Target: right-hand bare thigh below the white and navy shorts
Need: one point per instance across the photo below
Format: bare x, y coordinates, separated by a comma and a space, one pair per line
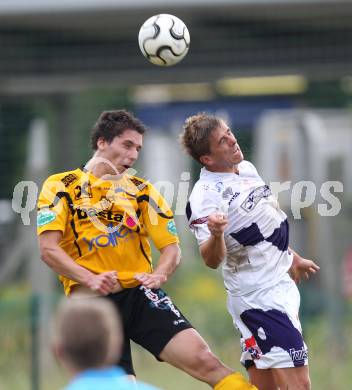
293, 378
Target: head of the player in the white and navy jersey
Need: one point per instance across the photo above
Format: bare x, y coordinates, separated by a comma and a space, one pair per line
210, 141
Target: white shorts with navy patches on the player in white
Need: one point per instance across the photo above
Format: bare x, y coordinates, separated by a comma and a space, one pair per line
269, 325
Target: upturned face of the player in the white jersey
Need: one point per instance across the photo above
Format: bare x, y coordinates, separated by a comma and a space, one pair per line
225, 153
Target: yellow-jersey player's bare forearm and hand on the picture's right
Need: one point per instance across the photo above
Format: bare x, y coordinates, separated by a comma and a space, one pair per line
170, 257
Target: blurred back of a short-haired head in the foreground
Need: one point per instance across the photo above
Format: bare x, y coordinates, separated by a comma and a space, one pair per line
86, 334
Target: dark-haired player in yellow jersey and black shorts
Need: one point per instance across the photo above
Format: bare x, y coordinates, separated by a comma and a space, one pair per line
94, 226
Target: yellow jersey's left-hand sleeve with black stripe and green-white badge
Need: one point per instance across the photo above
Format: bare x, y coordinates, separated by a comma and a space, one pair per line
53, 206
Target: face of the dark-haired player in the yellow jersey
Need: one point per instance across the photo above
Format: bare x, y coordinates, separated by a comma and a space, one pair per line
124, 149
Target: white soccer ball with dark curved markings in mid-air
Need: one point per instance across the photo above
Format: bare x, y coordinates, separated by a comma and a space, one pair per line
164, 39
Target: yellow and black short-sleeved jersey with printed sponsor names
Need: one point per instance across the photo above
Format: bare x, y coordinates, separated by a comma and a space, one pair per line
106, 223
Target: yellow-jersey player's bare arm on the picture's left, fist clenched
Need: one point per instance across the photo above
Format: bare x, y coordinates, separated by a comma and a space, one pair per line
57, 259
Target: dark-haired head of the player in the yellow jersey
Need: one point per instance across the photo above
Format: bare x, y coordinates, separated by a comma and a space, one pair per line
118, 137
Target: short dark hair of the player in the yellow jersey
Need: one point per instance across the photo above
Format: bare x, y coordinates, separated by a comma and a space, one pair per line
111, 124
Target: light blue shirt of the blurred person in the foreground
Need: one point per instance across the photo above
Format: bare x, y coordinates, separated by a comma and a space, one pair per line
105, 379
